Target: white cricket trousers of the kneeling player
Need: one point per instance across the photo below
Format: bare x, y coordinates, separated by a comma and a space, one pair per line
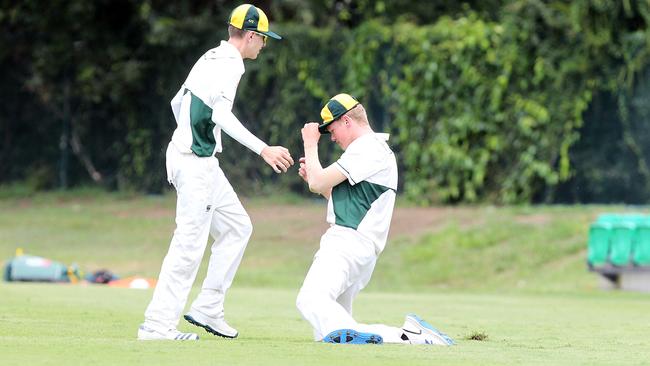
342, 267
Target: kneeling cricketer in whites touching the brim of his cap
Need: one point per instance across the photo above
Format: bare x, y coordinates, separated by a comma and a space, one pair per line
360, 187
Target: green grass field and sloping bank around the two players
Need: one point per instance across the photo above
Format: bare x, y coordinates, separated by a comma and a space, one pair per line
515, 275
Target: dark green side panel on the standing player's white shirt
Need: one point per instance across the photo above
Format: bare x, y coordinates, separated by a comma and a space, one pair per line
203, 142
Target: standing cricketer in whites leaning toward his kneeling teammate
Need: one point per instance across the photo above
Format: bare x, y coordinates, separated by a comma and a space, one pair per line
207, 205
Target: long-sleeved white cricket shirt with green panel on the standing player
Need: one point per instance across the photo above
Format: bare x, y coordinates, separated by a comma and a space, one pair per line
203, 105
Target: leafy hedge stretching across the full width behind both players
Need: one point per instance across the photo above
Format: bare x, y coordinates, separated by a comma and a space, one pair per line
480, 108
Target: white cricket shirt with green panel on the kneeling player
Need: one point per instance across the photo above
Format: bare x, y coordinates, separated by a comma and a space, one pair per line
365, 200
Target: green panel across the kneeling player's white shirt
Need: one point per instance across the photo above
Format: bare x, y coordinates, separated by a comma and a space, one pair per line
352, 202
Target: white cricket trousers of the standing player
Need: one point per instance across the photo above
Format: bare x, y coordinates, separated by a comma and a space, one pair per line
206, 206
